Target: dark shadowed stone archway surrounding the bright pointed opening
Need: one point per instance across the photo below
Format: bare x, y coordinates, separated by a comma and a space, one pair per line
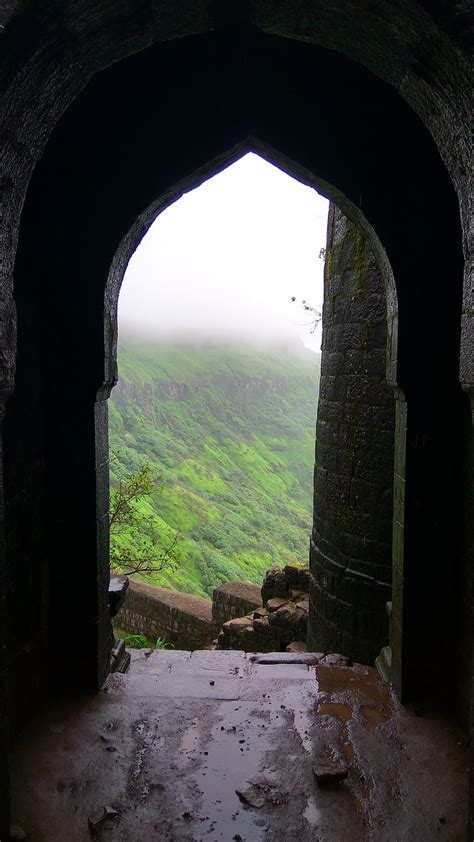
110, 156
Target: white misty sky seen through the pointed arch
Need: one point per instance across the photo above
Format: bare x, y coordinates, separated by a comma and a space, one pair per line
224, 260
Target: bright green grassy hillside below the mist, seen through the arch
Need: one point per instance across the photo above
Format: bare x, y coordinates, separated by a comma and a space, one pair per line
231, 432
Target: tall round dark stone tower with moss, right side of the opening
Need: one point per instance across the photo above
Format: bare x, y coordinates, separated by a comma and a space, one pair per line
350, 553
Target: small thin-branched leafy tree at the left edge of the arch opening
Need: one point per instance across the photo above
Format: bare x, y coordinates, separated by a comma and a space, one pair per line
137, 542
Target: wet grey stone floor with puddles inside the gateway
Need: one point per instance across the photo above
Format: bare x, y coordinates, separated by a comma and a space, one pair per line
228, 747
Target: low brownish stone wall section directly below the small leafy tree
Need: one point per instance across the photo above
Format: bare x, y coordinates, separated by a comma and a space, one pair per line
180, 618
